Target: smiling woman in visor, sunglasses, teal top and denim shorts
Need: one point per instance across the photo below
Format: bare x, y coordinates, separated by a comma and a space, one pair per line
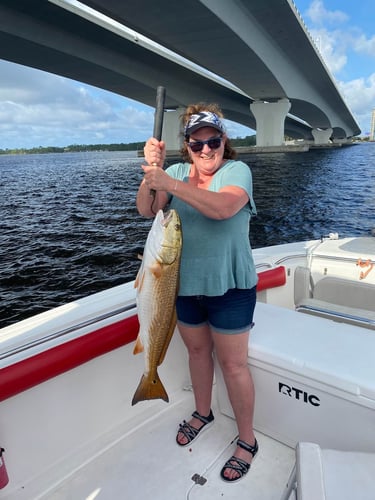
213, 195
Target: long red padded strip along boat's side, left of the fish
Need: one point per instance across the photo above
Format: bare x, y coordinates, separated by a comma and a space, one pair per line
48, 364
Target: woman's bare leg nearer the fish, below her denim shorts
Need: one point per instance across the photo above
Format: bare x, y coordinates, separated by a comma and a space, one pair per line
198, 341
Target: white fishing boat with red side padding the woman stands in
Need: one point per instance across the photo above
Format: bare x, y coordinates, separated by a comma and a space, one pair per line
68, 375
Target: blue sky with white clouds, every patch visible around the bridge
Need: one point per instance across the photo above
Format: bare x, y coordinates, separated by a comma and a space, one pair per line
40, 109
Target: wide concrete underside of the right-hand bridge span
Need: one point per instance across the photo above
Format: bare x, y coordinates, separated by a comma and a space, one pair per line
261, 47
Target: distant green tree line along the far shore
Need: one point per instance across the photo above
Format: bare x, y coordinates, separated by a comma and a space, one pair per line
131, 146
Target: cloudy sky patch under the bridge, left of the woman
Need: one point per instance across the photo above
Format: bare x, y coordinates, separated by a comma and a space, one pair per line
38, 108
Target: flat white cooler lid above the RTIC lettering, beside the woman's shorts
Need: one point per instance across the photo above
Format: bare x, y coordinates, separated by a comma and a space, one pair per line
336, 354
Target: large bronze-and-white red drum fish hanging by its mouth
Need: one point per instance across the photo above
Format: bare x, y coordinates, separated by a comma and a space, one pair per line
157, 287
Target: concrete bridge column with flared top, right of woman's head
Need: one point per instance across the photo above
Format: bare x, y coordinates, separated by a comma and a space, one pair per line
270, 119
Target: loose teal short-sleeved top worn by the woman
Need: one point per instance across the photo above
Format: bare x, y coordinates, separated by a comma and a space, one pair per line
216, 254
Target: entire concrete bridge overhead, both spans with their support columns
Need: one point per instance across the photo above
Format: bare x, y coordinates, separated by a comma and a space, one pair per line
271, 76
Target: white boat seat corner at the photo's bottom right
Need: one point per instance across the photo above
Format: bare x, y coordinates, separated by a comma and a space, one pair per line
324, 474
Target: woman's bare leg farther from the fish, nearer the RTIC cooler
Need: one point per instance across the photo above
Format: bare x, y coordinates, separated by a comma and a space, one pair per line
231, 351
